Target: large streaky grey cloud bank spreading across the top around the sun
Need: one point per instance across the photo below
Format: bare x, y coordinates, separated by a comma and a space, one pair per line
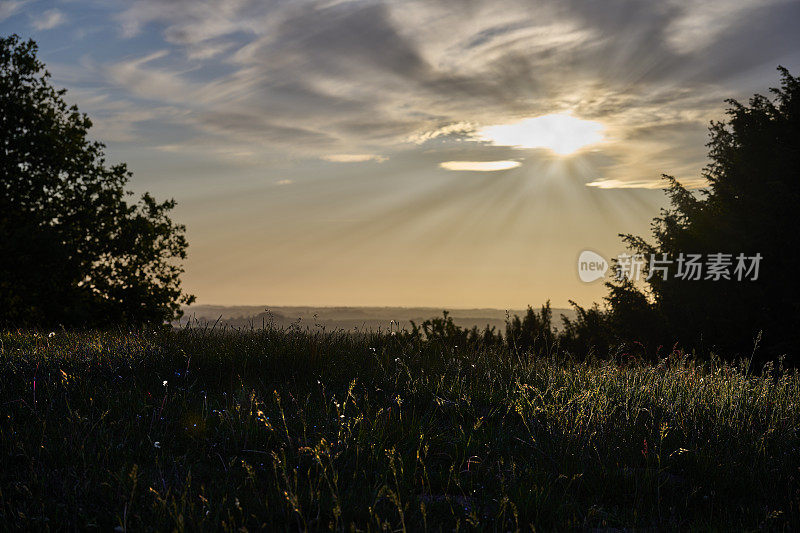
315, 77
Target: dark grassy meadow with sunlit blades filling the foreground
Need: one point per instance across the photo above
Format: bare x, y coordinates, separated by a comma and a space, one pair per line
200, 430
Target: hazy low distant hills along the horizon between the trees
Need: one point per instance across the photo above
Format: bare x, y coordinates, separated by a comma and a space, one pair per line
349, 318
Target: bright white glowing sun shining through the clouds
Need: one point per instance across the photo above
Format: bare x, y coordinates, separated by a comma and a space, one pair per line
561, 133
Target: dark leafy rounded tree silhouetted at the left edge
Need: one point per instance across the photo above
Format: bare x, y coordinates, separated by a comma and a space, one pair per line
74, 250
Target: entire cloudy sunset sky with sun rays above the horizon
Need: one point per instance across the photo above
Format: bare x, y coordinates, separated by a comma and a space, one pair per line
446, 153
